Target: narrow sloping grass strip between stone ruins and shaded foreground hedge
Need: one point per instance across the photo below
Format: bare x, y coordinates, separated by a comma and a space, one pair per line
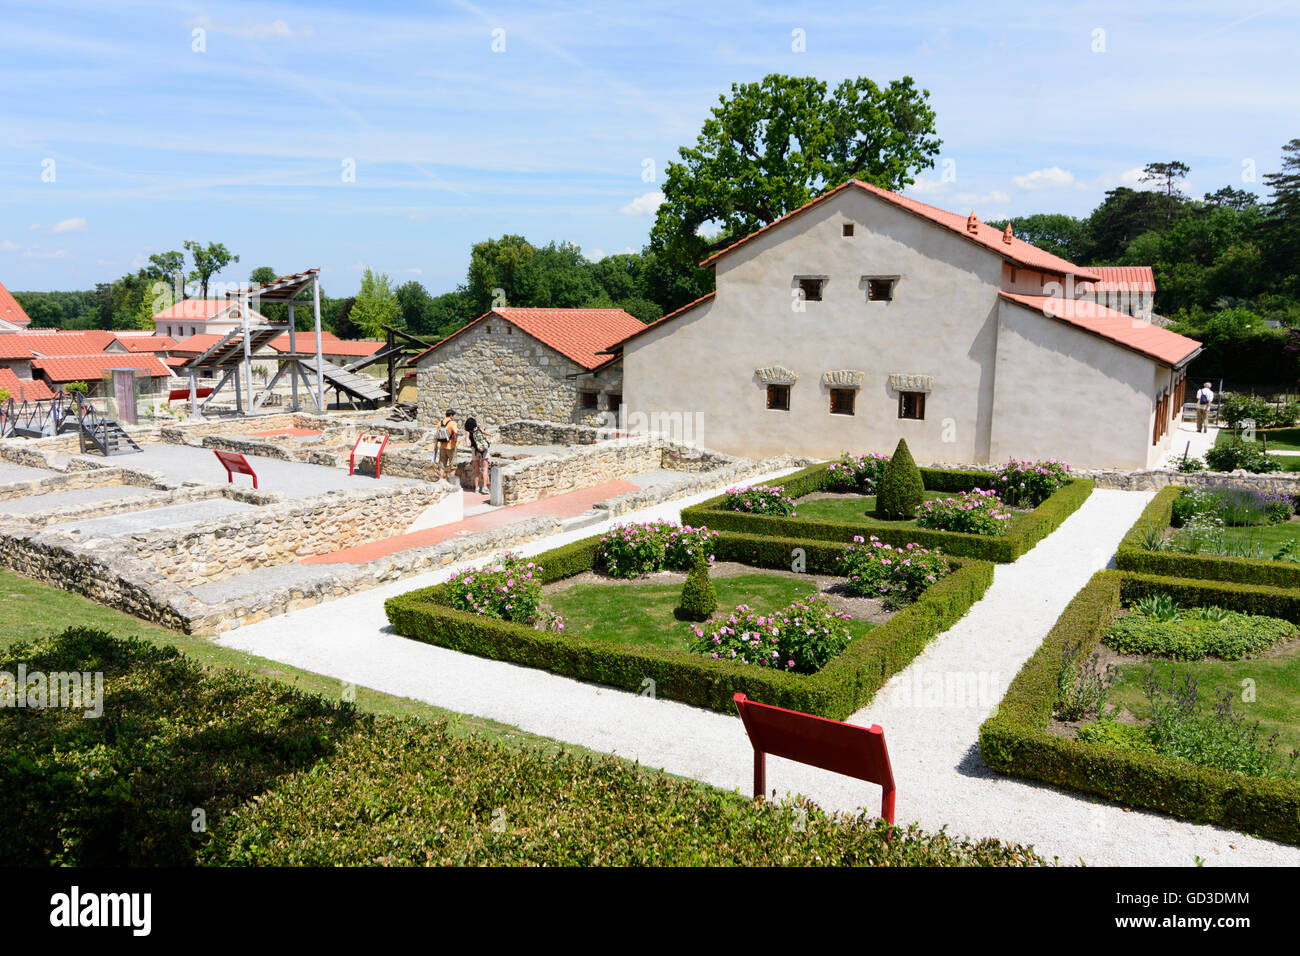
32, 609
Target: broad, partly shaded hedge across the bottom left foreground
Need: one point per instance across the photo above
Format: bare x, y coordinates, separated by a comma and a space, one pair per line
288, 778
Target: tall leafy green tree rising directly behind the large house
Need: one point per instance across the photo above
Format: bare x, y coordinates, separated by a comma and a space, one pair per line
773, 146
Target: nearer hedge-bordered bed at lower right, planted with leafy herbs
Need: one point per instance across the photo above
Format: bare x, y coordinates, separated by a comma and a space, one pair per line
1026, 739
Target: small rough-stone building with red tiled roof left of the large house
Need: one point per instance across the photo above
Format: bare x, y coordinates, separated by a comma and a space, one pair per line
528, 364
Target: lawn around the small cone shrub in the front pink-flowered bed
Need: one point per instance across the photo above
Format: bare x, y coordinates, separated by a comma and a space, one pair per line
642, 613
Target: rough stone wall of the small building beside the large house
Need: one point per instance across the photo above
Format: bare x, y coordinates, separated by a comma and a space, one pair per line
497, 373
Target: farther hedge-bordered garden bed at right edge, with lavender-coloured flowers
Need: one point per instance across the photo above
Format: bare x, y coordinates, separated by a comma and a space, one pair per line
1155, 526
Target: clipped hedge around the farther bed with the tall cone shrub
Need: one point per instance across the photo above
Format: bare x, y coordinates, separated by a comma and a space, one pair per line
1026, 530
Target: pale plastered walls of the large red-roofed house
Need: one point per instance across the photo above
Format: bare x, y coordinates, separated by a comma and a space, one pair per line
944, 321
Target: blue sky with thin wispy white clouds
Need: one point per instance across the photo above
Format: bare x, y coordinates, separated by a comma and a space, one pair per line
248, 140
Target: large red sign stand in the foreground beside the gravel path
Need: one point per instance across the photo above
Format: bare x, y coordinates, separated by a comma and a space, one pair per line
843, 749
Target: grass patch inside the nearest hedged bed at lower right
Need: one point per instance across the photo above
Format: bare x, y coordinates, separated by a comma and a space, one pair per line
1277, 690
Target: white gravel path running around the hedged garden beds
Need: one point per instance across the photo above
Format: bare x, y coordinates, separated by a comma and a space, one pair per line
933, 742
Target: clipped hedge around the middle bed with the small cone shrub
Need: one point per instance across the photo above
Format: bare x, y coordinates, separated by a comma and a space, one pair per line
837, 691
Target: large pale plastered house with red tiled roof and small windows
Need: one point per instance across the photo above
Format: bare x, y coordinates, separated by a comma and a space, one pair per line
866, 317
